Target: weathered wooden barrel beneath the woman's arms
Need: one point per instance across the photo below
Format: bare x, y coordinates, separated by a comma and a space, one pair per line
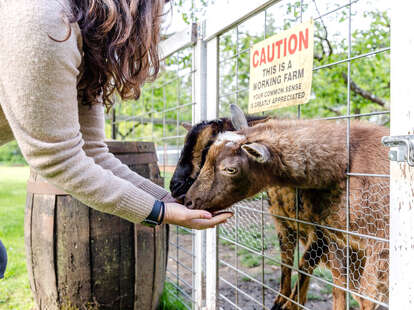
79, 258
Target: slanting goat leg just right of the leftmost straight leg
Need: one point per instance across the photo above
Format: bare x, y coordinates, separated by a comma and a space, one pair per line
316, 247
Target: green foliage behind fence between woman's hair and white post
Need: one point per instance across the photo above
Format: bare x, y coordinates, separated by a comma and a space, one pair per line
163, 105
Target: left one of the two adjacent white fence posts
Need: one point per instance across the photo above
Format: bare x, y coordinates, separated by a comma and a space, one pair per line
199, 114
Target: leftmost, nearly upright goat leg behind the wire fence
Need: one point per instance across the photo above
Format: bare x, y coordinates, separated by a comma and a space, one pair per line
287, 243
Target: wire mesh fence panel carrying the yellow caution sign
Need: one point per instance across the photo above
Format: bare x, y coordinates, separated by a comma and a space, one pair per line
348, 68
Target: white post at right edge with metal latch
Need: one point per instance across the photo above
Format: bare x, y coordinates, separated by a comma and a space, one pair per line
402, 175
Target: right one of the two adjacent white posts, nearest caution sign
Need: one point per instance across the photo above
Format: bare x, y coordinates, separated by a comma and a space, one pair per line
211, 237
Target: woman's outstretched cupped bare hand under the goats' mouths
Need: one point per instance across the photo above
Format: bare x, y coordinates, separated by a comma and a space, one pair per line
178, 214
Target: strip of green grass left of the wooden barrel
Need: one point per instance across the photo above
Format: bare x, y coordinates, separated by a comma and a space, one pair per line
15, 290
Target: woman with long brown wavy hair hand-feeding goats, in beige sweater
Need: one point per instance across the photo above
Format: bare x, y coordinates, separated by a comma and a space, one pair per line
61, 60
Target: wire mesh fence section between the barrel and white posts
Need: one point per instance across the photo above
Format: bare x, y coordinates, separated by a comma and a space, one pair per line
157, 117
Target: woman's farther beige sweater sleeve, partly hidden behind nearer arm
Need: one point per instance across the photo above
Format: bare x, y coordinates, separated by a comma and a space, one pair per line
92, 126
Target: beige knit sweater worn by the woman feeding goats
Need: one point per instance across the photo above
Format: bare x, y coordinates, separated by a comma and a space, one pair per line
60, 138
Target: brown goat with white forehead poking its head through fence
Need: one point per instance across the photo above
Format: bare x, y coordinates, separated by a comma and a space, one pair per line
310, 155
